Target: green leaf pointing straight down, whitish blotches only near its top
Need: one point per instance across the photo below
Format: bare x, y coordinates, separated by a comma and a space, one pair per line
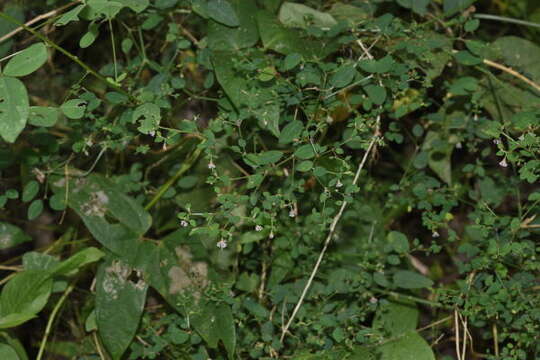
119, 305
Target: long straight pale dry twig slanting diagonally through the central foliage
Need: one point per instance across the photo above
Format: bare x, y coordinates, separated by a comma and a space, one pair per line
330, 233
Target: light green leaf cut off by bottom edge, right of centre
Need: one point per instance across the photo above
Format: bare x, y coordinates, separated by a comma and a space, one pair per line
408, 347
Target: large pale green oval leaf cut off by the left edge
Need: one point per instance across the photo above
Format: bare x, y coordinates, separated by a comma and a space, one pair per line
14, 108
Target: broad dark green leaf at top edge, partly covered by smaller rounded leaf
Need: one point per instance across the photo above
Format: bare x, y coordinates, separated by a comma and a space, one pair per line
224, 38
